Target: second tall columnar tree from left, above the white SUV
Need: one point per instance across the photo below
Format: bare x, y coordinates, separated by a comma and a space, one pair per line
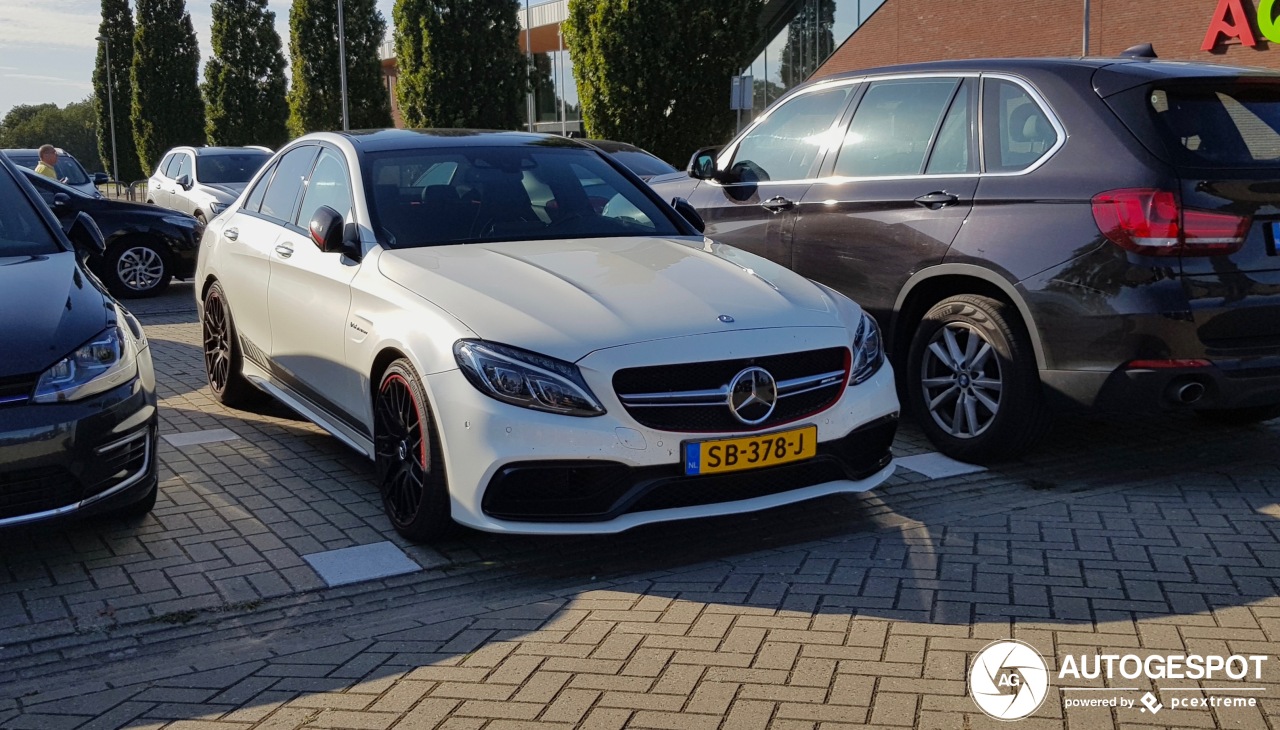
168, 111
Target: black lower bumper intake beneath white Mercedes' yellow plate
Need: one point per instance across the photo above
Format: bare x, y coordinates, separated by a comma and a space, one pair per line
600, 491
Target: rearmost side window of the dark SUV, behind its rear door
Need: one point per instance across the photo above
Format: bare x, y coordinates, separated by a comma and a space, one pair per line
1017, 131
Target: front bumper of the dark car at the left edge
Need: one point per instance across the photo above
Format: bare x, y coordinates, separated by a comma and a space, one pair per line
72, 460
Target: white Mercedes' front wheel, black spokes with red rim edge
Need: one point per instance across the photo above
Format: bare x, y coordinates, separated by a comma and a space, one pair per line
408, 458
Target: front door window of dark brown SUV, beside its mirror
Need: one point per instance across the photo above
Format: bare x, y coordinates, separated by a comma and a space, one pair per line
787, 145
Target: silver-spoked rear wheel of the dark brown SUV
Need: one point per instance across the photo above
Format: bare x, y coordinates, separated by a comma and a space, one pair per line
972, 381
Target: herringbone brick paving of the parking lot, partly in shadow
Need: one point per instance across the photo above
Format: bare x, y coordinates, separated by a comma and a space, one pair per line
1123, 536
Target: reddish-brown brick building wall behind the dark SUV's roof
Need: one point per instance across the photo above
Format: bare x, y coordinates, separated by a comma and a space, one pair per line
908, 31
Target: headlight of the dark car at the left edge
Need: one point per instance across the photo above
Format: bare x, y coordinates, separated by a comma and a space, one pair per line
108, 361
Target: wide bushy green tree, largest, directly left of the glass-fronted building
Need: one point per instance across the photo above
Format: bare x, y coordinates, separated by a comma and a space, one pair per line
655, 83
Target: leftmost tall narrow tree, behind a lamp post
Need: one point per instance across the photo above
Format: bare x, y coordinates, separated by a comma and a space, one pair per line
117, 28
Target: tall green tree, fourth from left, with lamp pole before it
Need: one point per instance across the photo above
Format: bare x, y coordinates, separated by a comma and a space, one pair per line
316, 98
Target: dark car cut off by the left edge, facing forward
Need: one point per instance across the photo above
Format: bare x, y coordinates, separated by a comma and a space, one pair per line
77, 390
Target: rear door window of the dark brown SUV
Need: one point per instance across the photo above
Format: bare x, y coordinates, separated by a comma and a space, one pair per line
894, 126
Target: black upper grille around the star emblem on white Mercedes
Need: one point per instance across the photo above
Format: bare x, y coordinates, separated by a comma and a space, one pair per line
716, 375
